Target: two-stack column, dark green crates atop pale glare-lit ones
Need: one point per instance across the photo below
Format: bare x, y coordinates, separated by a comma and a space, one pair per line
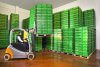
57, 40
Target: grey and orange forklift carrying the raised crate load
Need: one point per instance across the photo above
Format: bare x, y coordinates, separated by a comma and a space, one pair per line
18, 50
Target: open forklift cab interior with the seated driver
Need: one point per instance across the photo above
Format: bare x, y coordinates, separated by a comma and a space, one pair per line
22, 46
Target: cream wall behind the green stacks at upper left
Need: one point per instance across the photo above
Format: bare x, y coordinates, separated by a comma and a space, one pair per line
8, 9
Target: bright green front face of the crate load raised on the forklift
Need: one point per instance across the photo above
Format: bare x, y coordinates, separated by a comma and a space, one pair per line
44, 19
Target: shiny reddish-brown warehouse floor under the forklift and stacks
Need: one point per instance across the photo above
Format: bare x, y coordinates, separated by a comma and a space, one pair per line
52, 59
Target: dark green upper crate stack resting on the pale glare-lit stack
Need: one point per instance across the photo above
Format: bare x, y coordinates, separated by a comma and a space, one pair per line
57, 20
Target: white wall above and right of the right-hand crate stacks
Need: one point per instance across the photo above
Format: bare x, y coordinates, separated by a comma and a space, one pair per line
85, 5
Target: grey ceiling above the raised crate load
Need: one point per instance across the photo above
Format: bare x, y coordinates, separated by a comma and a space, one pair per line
27, 4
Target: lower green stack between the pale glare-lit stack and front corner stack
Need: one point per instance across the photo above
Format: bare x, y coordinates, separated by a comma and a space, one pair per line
68, 40
